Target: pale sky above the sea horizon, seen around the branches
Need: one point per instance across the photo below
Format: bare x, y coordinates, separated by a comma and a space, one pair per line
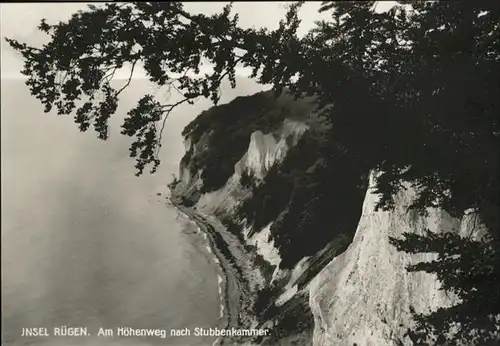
19, 21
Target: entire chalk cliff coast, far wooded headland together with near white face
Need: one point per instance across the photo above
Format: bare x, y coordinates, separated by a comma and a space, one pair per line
317, 254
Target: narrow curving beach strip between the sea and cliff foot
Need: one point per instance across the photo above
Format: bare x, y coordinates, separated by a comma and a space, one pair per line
230, 285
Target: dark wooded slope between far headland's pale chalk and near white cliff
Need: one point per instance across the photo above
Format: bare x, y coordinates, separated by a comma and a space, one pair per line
314, 196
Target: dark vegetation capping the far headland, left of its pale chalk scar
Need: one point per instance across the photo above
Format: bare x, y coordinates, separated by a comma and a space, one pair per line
229, 128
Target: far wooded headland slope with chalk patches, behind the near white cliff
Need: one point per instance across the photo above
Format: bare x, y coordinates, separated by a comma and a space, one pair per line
258, 166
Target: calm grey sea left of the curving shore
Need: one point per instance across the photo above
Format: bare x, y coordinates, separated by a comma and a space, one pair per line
86, 243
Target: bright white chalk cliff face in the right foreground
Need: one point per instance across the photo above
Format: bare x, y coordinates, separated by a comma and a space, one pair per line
363, 296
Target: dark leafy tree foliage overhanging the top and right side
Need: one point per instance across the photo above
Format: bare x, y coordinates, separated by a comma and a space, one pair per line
413, 93
